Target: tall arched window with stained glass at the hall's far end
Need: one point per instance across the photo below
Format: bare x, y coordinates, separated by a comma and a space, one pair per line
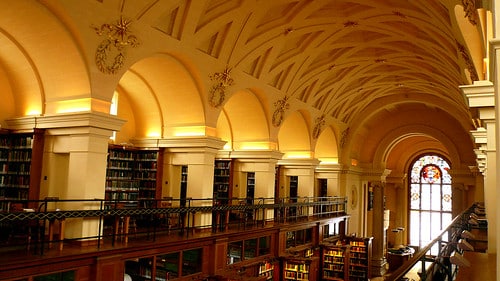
430, 199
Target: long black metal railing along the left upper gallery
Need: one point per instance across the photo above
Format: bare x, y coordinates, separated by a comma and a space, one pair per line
36, 218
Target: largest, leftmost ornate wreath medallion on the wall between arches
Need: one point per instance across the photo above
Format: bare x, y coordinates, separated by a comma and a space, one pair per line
110, 54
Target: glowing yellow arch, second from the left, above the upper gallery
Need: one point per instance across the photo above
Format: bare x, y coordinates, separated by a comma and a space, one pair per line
165, 98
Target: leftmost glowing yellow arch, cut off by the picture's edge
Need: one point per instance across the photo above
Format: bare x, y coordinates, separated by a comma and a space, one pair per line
33, 64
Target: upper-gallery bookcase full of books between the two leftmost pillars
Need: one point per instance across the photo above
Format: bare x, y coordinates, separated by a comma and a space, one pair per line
131, 175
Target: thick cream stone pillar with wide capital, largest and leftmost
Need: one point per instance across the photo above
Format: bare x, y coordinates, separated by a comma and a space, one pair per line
75, 161
